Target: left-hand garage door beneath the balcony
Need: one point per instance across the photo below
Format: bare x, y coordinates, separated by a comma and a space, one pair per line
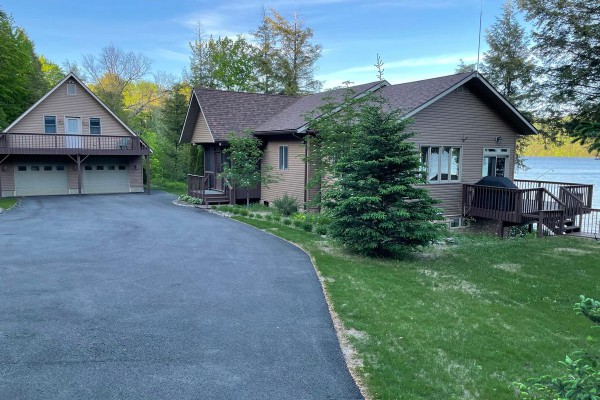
34, 179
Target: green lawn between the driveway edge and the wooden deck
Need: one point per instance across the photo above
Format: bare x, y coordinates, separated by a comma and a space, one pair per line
461, 321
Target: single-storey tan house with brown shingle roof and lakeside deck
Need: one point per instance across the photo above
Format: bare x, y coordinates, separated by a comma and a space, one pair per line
465, 129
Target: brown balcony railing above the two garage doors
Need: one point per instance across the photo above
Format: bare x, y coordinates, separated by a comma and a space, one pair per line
36, 143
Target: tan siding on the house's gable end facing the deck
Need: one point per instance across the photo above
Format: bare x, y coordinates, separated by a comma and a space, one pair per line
462, 120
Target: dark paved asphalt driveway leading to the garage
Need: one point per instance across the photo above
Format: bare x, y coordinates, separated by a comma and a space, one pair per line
131, 297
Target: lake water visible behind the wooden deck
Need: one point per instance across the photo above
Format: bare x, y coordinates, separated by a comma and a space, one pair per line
564, 169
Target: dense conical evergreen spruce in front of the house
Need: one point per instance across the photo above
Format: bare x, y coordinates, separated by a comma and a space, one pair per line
376, 205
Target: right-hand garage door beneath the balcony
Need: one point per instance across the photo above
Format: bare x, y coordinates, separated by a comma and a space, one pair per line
105, 178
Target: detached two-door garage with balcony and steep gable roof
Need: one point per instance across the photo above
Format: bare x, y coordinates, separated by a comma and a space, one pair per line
69, 142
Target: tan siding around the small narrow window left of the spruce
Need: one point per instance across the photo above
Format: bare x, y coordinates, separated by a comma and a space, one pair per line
291, 180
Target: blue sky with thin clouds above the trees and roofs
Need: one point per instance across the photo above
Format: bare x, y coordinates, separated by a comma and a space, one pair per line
416, 39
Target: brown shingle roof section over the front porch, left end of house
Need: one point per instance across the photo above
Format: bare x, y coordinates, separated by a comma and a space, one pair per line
235, 111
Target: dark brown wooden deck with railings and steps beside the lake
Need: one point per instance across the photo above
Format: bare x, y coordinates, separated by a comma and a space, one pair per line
557, 208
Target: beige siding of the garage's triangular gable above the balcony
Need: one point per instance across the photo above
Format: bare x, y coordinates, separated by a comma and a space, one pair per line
60, 104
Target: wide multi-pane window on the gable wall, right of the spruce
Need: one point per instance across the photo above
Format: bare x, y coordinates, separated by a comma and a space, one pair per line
441, 163
